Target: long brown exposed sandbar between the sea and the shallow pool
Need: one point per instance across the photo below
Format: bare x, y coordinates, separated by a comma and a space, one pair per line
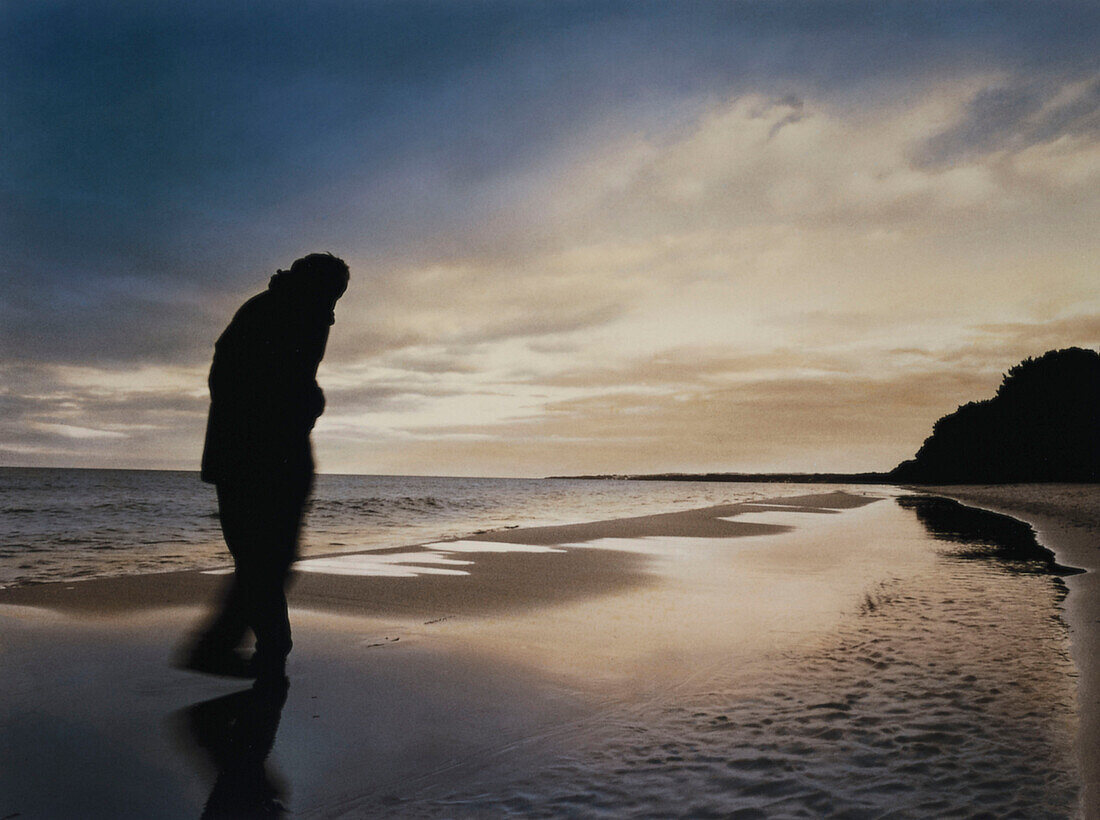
509, 577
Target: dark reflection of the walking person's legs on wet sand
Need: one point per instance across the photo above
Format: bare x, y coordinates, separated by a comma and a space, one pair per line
236, 734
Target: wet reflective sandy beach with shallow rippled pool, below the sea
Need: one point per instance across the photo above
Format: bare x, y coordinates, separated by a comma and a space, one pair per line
831, 654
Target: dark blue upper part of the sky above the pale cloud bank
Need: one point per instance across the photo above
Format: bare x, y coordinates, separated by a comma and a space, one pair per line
155, 151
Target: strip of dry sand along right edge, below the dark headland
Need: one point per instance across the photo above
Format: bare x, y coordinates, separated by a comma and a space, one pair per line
1070, 527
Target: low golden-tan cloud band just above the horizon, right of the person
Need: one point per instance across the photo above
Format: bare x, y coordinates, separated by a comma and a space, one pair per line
707, 410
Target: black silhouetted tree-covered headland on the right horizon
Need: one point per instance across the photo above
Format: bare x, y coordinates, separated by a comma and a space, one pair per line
1043, 425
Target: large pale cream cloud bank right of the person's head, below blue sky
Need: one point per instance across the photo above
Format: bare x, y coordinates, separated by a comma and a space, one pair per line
764, 205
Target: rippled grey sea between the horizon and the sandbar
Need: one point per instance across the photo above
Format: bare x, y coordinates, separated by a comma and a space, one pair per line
68, 524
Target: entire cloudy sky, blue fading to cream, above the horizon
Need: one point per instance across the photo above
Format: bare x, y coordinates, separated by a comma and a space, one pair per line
584, 237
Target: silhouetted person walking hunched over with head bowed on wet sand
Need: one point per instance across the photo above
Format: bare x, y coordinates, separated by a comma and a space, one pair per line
265, 401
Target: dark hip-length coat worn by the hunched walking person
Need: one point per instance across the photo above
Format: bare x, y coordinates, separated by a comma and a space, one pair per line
265, 397
